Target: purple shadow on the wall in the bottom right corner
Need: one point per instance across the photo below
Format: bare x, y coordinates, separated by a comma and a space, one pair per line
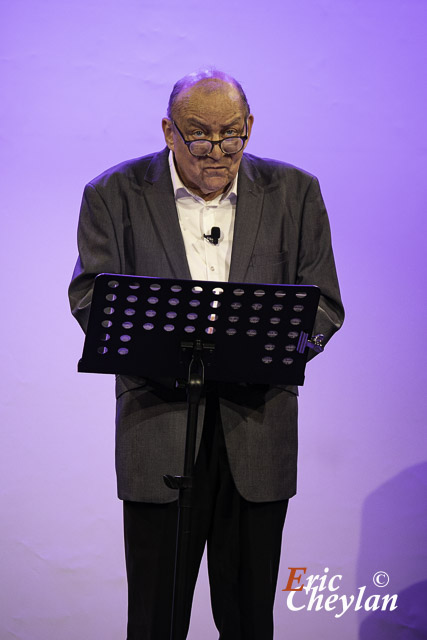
393, 542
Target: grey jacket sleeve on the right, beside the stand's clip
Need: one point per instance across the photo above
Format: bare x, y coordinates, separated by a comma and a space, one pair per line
316, 263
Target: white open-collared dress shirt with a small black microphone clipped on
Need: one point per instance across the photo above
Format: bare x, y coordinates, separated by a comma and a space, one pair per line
206, 260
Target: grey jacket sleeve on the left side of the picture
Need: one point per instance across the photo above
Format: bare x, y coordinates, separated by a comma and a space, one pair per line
98, 252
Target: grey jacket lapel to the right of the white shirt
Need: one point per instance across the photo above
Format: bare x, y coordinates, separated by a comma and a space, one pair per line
250, 198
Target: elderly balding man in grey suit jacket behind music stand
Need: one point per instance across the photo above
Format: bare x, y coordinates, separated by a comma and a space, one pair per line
154, 216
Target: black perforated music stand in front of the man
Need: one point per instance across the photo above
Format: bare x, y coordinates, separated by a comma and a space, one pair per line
222, 331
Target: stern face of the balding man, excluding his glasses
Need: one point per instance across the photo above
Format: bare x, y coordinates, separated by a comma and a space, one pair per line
210, 110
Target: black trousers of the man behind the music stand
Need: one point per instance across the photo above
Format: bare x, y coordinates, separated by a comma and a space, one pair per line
243, 549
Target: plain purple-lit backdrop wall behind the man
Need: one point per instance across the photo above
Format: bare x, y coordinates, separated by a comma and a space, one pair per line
337, 87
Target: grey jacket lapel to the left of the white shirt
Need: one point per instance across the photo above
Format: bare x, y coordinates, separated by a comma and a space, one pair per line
158, 194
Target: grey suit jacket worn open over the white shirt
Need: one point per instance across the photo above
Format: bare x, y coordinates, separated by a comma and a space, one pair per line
129, 224
